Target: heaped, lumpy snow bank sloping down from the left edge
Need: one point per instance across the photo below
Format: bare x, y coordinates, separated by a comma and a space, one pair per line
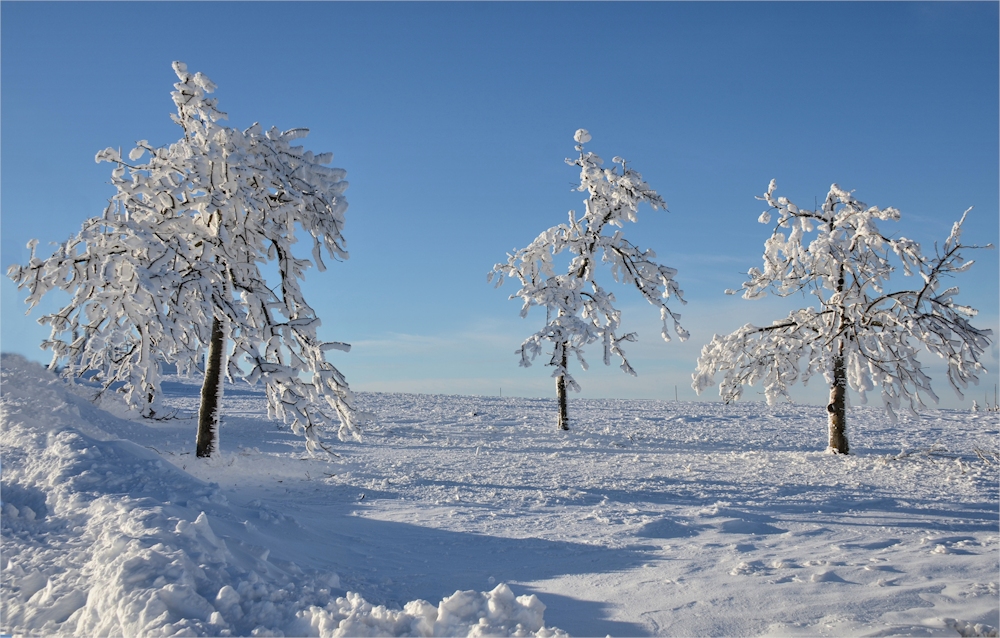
103, 537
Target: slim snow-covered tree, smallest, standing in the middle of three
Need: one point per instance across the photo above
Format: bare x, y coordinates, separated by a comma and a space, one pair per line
579, 311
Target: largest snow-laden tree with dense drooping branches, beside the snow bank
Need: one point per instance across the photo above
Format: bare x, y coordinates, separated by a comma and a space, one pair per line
174, 267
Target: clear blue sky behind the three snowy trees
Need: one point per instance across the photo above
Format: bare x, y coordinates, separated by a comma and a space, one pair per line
453, 120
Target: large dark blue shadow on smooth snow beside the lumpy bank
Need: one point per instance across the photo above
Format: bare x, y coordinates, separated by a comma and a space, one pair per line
392, 563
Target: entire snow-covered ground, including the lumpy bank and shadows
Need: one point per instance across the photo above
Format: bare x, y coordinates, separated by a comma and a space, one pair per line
648, 518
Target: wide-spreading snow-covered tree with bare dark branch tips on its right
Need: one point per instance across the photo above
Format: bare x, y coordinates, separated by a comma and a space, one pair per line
859, 333
